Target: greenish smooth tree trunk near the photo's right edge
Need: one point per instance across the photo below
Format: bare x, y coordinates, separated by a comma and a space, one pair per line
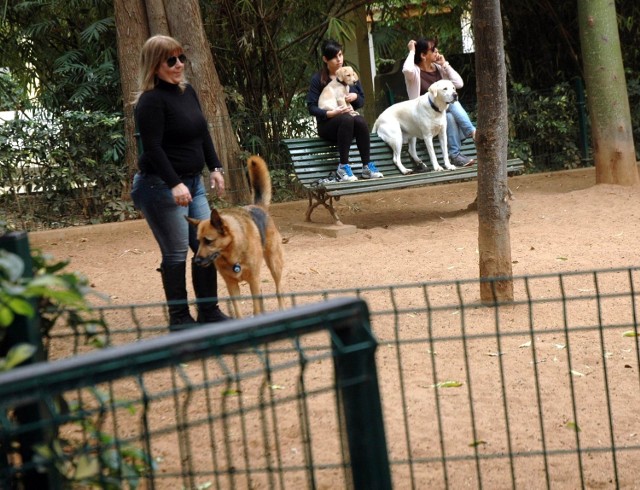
607, 99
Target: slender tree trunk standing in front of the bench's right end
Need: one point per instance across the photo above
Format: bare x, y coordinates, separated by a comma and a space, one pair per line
494, 241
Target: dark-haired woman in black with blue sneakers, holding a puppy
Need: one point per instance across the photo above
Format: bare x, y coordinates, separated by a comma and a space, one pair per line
338, 125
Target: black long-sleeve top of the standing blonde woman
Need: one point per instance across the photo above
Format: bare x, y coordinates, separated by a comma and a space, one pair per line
174, 133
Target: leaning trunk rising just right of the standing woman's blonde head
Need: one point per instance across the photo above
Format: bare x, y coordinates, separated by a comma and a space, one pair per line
185, 24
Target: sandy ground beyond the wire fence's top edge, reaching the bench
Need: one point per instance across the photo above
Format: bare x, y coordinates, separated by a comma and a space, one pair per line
560, 221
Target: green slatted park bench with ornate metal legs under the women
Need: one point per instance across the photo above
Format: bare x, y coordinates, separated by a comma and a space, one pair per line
314, 159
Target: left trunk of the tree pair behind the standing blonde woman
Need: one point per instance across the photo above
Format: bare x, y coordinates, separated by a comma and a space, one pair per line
131, 32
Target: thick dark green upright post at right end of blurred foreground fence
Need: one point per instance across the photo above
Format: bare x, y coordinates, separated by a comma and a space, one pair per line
359, 403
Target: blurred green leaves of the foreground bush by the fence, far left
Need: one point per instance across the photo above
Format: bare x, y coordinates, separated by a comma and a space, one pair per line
56, 294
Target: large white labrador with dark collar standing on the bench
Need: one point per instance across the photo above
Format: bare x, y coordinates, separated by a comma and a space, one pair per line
424, 117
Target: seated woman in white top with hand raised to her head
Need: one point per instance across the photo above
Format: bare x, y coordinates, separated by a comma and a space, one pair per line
425, 65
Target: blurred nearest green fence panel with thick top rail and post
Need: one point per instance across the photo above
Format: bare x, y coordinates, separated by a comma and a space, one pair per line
286, 400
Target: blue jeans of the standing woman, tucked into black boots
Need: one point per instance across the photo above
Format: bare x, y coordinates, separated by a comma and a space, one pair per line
174, 234
